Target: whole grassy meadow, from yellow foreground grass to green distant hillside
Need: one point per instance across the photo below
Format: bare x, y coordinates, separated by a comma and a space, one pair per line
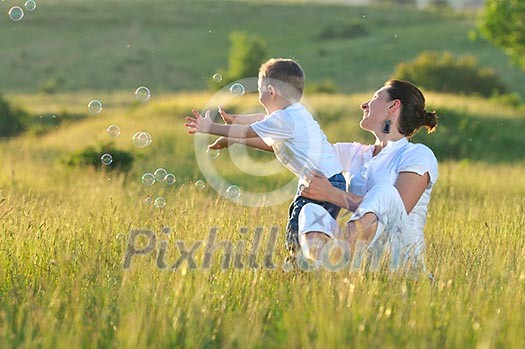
64, 231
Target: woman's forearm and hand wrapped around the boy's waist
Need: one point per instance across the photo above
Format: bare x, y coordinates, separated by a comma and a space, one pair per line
321, 189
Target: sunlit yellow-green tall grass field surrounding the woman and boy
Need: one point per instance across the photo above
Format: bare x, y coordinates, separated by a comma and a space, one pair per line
64, 231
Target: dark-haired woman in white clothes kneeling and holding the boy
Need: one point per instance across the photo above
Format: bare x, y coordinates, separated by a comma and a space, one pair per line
389, 190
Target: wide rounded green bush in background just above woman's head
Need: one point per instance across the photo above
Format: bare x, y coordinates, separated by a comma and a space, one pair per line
445, 73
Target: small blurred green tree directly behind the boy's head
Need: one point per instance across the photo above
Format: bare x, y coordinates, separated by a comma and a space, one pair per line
247, 53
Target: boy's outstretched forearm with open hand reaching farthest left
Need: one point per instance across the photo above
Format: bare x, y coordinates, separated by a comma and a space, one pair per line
200, 124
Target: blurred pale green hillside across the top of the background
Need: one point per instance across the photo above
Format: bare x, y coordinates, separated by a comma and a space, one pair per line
178, 45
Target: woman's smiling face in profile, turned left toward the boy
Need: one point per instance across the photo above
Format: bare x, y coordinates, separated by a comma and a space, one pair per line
375, 111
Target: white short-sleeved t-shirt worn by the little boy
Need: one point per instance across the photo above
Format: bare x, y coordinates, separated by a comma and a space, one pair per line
298, 141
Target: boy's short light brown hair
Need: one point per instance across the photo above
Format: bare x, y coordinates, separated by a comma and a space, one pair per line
287, 74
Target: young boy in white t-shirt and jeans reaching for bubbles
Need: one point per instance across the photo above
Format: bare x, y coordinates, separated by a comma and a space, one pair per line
288, 130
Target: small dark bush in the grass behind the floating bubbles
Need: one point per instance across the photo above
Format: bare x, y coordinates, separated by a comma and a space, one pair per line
91, 156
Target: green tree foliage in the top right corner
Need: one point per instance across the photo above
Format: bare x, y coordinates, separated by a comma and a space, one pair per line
502, 23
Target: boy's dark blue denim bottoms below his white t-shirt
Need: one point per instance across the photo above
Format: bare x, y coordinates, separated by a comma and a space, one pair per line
292, 228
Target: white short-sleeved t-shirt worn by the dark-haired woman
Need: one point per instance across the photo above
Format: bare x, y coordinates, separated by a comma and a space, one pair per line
362, 170
